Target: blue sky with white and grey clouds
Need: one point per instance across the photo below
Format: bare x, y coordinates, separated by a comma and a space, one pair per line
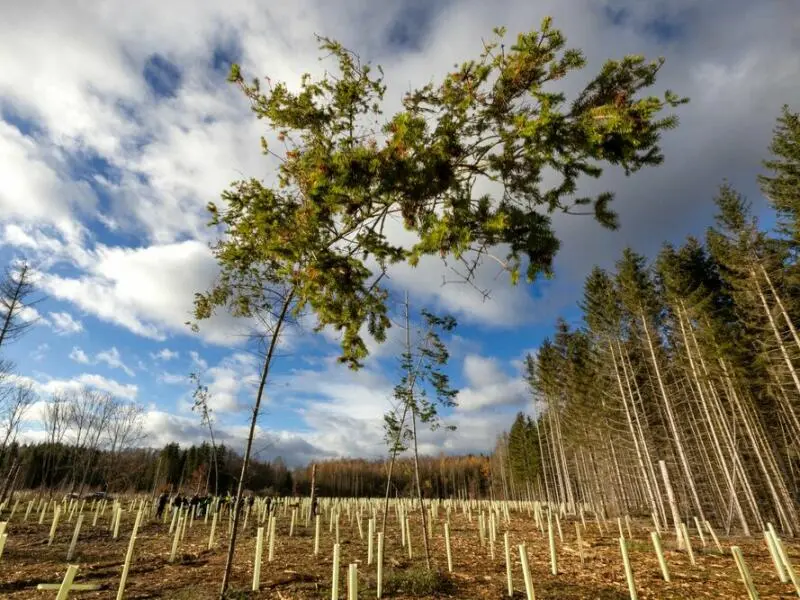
117, 128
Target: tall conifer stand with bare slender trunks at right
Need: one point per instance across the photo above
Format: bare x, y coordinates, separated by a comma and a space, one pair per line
692, 359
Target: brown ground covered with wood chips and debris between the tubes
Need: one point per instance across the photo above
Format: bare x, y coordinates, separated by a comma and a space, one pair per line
295, 573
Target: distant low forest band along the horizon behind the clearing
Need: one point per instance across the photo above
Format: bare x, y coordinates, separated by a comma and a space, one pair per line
190, 470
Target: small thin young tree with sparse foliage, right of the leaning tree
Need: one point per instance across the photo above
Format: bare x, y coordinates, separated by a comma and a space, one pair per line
424, 388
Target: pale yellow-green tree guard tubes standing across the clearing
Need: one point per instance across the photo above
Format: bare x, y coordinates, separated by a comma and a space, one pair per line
483, 519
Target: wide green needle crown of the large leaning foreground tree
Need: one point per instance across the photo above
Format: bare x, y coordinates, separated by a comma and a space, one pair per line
345, 170
